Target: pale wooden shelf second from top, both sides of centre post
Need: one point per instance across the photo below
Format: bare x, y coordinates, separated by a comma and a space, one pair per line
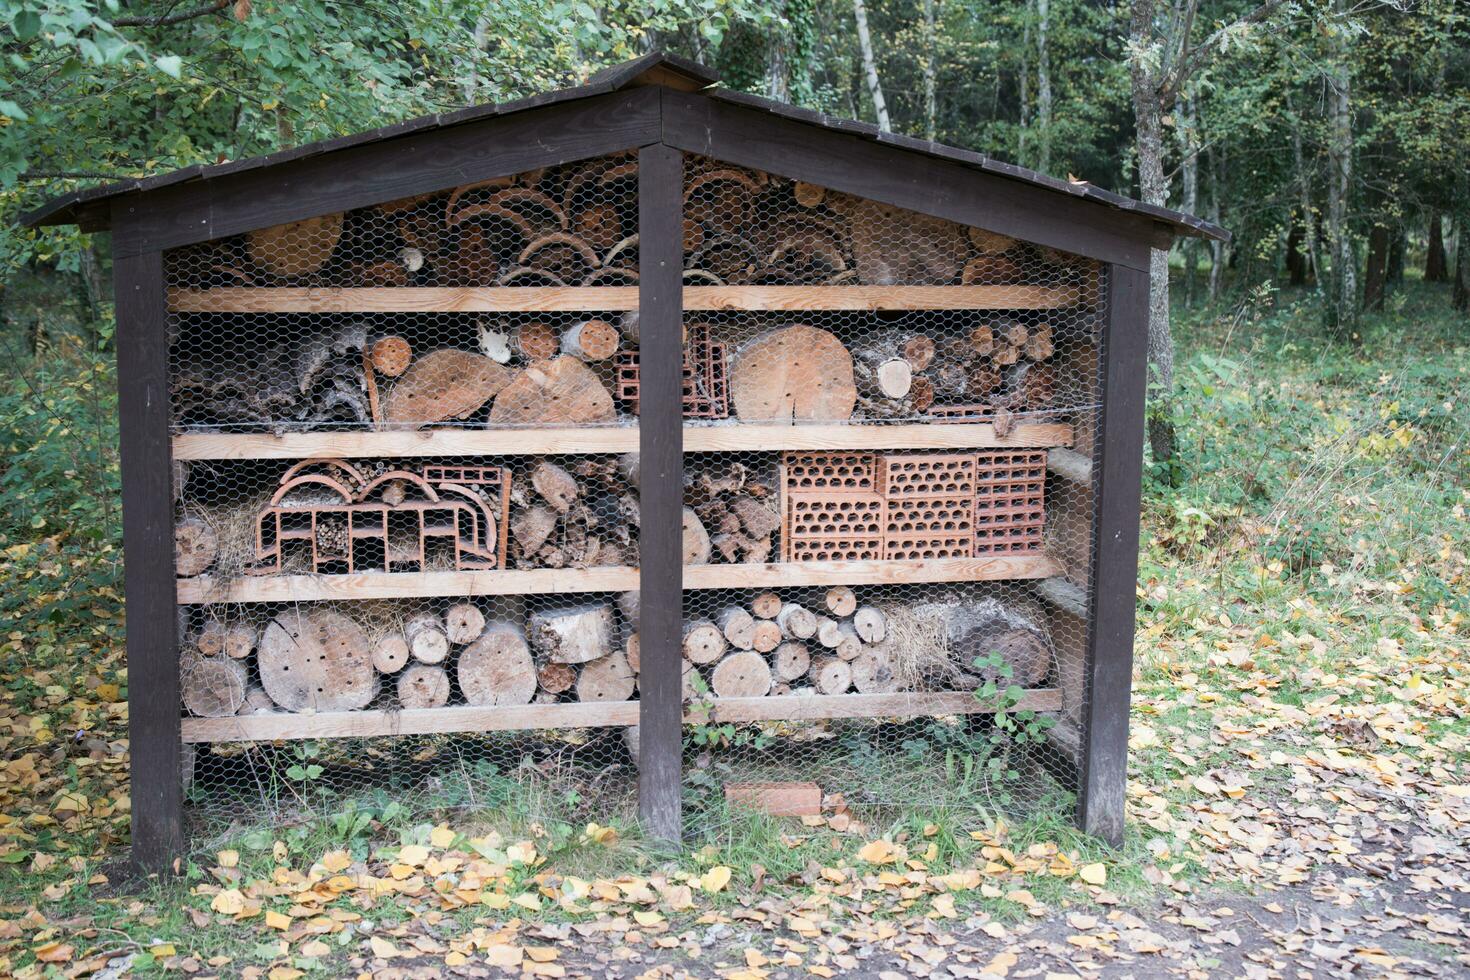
708, 439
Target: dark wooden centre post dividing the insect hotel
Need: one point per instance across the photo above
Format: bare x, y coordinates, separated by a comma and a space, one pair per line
661, 447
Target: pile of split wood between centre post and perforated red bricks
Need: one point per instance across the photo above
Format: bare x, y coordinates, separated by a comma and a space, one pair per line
736, 512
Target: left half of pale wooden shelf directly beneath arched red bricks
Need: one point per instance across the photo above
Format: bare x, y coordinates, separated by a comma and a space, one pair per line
401, 586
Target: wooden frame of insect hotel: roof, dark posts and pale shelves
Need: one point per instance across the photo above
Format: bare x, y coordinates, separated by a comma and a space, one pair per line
664, 108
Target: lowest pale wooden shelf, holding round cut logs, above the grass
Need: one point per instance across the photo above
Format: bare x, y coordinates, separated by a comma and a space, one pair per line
467, 719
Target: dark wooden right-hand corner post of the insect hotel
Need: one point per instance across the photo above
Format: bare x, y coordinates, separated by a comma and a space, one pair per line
1115, 547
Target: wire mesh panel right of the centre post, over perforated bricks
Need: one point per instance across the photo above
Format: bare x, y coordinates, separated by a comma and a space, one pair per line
911, 630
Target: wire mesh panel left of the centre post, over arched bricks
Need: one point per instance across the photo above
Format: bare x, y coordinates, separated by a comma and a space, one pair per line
429, 628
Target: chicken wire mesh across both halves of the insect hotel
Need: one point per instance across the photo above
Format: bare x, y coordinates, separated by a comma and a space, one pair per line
956, 681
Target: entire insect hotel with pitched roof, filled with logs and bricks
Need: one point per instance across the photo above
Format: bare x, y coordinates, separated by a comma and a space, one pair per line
649, 437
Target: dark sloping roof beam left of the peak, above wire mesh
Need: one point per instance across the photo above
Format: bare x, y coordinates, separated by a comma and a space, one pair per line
384, 171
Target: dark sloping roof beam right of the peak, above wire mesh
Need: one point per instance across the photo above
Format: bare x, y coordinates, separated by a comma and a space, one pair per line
884, 173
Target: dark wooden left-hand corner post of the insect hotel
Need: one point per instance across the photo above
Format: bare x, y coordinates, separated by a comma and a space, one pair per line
148, 534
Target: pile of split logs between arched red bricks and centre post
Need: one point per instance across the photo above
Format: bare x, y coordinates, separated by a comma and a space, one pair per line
577, 516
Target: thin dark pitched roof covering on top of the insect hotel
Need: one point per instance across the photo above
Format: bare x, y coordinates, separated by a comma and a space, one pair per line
90, 208
